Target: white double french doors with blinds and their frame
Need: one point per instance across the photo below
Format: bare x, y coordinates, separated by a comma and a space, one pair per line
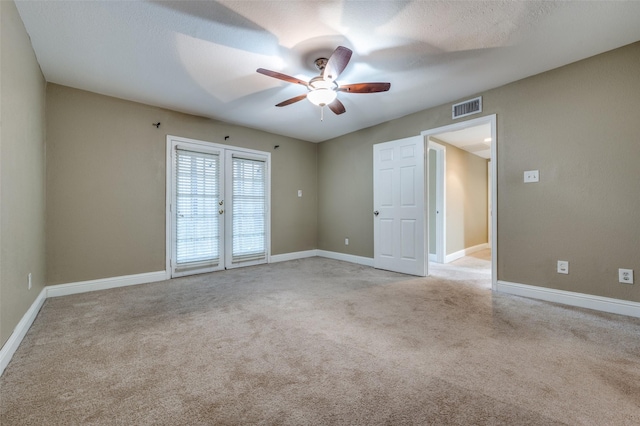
217, 206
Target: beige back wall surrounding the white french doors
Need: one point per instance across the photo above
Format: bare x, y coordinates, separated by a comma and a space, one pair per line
106, 184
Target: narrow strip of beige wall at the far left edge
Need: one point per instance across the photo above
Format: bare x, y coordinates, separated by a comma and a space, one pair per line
22, 171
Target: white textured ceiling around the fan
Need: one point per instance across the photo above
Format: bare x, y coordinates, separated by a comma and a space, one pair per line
201, 57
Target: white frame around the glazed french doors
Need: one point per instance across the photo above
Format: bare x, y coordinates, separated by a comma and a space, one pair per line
172, 141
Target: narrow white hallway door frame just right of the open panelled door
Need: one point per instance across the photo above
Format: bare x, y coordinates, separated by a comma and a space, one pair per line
441, 193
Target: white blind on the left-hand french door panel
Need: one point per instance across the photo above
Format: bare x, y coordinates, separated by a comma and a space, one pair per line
196, 208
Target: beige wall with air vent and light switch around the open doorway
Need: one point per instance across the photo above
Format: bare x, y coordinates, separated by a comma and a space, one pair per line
579, 126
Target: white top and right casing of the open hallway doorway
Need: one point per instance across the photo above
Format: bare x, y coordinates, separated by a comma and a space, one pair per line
491, 119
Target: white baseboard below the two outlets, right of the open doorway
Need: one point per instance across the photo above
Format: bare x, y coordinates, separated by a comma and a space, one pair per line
598, 303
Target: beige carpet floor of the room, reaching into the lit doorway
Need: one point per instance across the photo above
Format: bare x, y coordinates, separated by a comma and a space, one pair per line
319, 341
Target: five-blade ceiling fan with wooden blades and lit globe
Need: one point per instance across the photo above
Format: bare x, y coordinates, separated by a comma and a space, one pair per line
323, 89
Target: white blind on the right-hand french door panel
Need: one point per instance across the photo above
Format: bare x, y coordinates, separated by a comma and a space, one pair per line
249, 210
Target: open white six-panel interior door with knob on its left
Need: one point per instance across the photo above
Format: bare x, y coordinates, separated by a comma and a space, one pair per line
400, 232
